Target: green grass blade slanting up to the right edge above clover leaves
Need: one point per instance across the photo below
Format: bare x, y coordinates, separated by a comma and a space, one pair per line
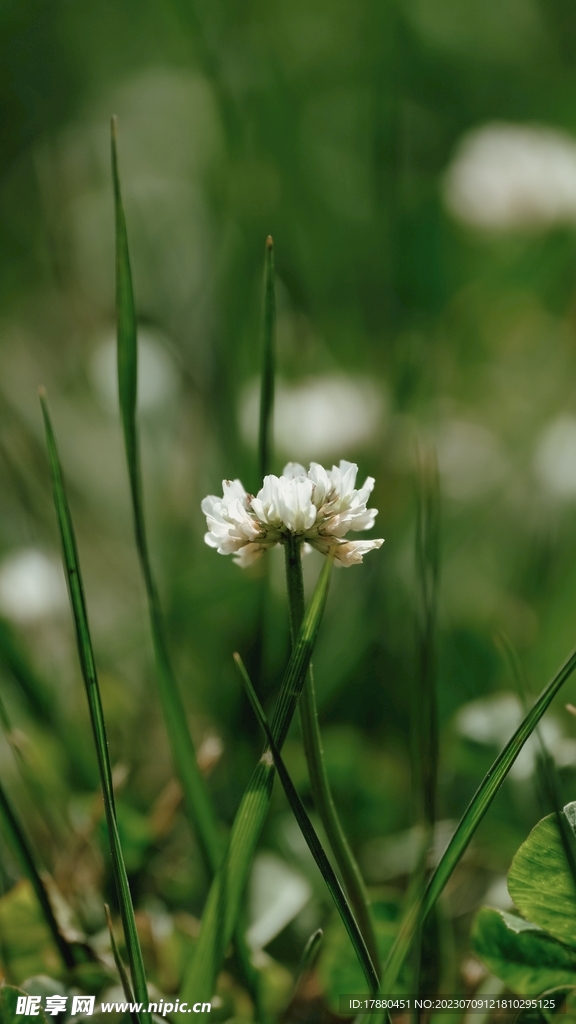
418, 911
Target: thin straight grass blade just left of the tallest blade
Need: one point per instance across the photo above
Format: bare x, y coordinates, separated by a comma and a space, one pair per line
90, 675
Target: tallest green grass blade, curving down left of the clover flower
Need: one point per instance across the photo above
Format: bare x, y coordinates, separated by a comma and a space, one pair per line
196, 797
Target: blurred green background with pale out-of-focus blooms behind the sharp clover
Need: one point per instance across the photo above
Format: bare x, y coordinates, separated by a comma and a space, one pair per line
416, 163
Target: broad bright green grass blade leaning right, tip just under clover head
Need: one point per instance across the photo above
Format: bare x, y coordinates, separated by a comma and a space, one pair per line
226, 893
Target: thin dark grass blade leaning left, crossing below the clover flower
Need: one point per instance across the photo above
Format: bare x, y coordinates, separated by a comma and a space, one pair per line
311, 837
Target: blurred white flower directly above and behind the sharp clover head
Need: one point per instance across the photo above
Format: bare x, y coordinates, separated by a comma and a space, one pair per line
319, 417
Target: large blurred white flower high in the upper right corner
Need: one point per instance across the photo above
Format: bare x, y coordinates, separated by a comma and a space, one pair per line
507, 177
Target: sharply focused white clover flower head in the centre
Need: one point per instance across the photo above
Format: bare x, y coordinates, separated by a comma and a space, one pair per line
319, 507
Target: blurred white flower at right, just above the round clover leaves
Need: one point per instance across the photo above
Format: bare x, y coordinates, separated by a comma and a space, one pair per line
493, 720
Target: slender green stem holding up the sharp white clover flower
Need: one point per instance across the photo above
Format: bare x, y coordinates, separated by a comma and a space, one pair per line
320, 786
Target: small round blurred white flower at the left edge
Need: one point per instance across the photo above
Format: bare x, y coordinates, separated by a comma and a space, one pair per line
32, 585
